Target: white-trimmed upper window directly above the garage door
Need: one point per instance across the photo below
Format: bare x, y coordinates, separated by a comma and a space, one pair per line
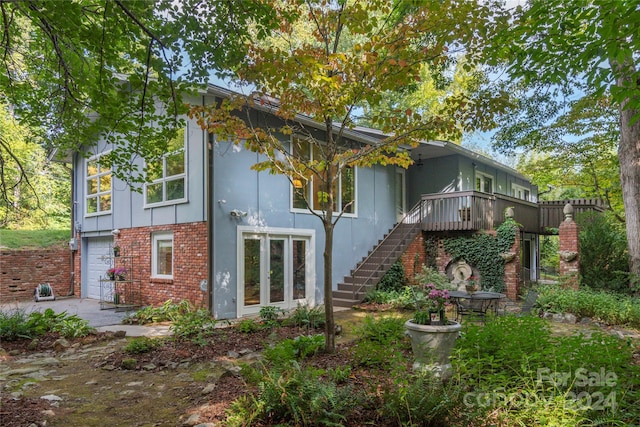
98, 187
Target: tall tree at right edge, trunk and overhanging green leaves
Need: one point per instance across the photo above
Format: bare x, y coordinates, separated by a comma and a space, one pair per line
594, 42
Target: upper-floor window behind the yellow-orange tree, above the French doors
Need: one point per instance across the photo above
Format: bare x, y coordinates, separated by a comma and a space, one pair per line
345, 187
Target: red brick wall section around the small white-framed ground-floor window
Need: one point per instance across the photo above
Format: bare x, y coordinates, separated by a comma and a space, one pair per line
189, 262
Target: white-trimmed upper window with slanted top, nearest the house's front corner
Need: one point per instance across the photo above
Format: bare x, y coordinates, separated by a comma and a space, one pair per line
167, 175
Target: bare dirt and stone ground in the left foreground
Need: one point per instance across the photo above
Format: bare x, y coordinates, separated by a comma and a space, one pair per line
87, 383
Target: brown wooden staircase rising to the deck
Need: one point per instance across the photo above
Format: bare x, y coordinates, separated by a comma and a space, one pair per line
370, 270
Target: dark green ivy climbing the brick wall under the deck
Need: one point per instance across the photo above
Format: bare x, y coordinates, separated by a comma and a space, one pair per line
483, 252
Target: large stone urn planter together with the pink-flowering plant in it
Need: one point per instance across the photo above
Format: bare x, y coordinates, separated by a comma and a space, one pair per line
432, 334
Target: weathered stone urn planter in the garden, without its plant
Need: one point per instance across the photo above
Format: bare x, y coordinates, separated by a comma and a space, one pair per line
432, 345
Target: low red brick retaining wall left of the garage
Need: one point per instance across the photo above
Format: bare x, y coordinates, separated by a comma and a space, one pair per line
22, 270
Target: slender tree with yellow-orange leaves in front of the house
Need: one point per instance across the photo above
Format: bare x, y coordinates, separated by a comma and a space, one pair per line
330, 59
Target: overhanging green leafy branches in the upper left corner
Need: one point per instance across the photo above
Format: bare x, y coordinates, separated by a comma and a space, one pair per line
73, 70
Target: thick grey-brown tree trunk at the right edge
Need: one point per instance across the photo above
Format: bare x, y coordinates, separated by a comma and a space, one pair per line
629, 157
